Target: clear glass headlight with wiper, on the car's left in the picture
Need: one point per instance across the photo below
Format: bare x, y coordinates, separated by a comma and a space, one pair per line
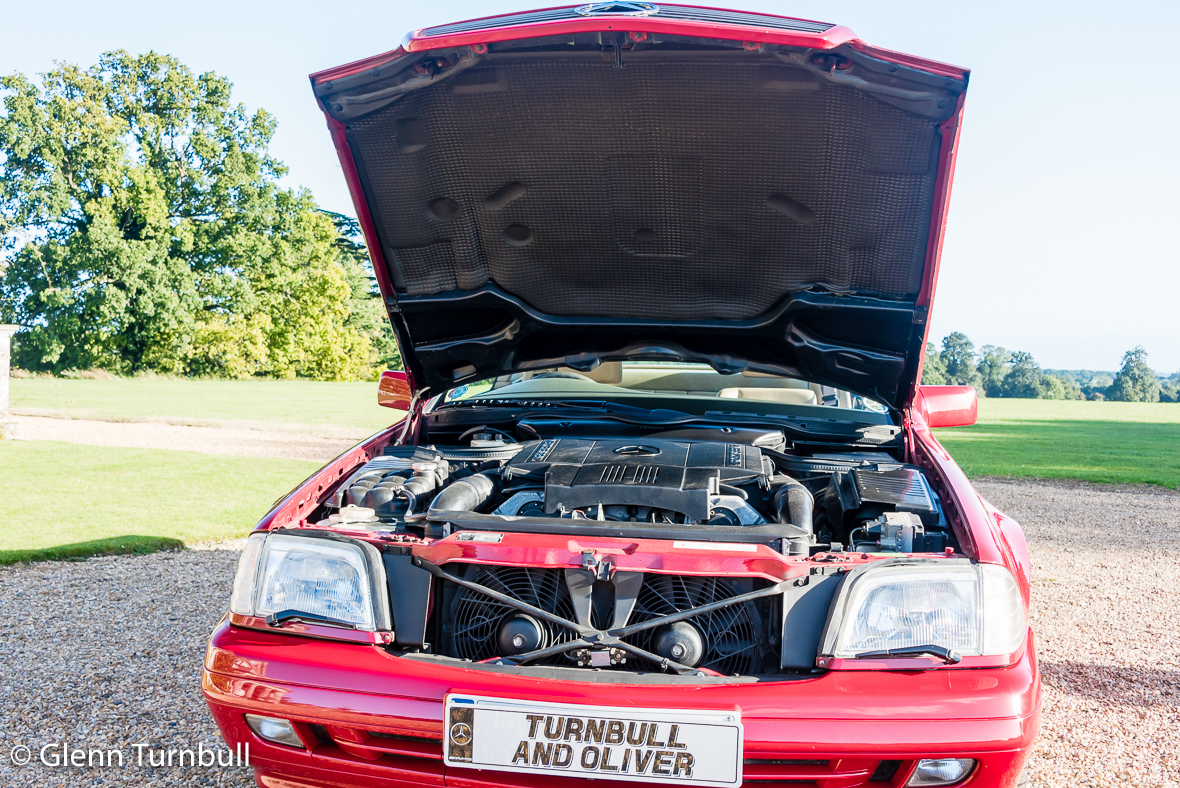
337, 581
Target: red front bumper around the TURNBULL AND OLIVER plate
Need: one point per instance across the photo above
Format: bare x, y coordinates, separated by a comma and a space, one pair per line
373, 719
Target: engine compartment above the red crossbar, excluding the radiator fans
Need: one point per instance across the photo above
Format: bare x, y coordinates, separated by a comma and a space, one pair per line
801, 504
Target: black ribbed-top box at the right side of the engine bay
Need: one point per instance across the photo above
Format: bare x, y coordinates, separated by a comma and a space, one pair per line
868, 494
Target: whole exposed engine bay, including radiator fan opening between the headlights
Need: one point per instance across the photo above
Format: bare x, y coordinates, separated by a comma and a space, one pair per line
546, 502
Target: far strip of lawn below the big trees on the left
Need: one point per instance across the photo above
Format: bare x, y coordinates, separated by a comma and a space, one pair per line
207, 402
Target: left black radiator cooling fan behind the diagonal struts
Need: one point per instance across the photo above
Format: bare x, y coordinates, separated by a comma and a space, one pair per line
483, 628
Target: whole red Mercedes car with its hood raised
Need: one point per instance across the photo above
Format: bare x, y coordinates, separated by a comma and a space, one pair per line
666, 508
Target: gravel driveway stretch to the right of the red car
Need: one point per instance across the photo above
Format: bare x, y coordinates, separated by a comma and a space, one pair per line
1106, 610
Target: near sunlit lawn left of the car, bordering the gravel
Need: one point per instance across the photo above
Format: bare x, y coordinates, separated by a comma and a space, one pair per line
64, 501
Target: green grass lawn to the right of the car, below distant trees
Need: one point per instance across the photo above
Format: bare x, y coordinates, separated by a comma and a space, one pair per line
1117, 443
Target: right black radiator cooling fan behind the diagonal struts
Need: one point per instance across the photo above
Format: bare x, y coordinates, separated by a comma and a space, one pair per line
725, 641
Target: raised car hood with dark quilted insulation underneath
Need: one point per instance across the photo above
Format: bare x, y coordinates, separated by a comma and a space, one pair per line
632, 181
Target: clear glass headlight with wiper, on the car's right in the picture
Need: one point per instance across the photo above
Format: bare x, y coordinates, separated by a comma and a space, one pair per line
972, 609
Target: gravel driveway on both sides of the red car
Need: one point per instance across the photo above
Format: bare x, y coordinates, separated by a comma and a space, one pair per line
107, 653
